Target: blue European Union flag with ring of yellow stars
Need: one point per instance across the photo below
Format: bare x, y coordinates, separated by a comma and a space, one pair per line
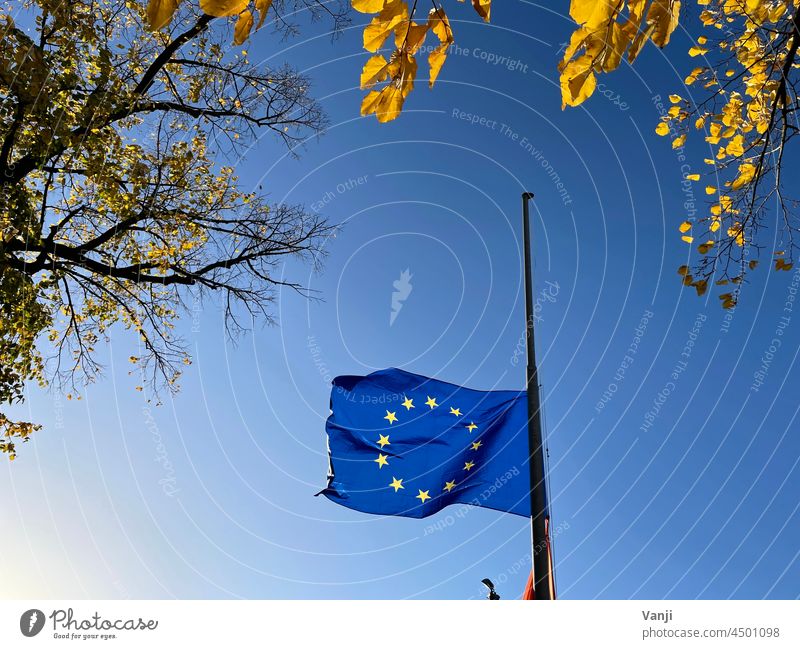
401, 444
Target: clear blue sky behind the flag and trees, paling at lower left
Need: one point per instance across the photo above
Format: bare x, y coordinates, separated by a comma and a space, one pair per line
682, 483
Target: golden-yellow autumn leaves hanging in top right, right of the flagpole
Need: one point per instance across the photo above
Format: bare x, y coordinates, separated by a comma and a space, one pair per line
742, 99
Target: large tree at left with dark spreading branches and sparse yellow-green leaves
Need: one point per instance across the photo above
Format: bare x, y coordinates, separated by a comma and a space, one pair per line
119, 125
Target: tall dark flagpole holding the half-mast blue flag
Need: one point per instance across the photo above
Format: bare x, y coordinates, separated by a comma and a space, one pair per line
538, 490
